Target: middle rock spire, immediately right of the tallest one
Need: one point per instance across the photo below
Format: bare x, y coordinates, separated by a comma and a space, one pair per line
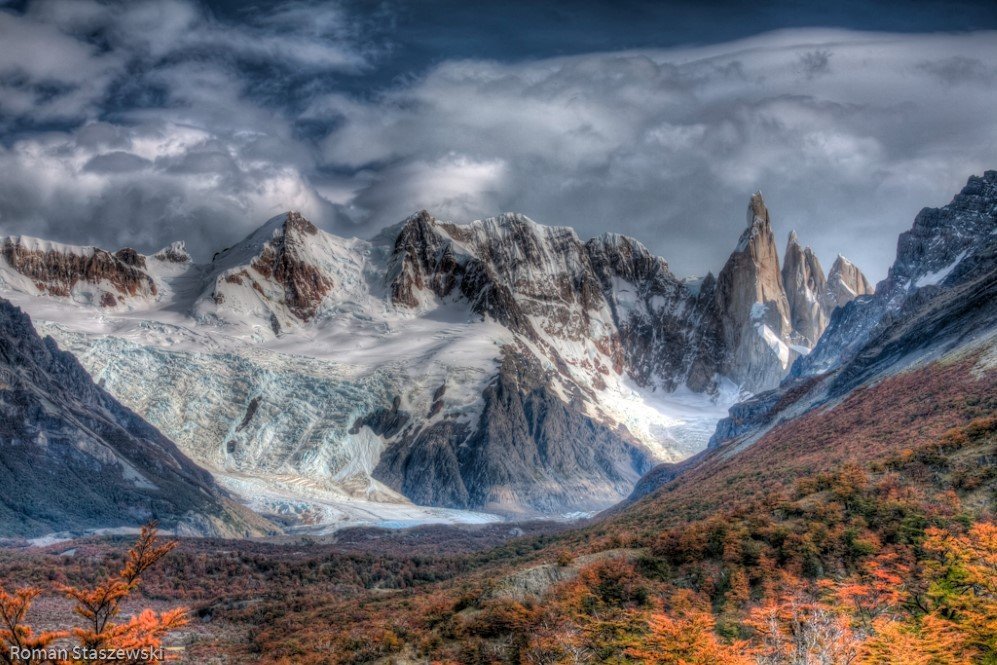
803, 279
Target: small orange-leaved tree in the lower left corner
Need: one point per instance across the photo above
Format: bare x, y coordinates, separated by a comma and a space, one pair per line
99, 607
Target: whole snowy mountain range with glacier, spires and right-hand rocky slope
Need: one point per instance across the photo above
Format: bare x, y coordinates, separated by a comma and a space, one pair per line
499, 366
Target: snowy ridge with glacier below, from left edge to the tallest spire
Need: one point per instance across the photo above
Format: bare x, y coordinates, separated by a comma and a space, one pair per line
293, 336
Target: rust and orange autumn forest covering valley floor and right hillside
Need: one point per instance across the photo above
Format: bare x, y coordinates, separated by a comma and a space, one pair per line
860, 533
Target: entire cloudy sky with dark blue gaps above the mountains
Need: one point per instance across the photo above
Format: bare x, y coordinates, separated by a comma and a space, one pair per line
138, 123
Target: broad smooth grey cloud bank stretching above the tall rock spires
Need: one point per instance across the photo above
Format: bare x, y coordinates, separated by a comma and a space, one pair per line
848, 134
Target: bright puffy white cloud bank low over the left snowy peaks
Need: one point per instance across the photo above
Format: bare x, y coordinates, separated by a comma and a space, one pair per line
145, 187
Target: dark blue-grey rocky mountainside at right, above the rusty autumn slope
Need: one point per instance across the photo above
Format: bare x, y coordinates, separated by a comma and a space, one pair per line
939, 295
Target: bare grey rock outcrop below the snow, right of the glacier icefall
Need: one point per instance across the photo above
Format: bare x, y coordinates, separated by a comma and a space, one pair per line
528, 453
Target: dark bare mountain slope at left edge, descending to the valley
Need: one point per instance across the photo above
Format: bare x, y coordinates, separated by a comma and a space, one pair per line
71, 457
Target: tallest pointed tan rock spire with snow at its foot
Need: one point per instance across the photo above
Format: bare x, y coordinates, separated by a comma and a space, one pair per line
753, 308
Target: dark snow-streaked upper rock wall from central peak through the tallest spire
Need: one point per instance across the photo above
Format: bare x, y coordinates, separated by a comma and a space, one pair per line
545, 283
